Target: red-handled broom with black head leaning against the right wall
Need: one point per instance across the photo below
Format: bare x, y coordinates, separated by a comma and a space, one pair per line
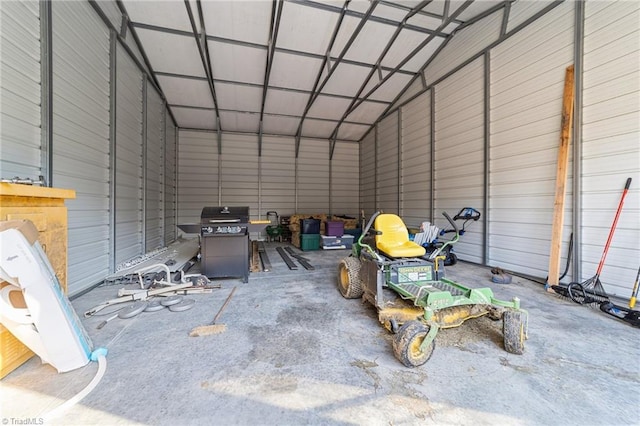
591, 290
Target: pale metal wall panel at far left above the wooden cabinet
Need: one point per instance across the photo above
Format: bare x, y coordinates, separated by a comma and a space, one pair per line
20, 100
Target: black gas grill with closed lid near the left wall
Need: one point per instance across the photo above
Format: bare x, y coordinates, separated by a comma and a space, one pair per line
224, 244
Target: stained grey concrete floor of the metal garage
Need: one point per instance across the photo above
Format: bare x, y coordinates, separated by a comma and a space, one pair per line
295, 352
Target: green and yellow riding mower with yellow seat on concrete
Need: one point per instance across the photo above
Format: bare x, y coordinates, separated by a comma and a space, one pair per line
413, 298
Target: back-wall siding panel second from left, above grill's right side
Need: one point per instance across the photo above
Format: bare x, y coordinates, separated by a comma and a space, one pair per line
239, 171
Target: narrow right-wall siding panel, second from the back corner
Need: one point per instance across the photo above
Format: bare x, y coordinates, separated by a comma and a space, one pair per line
387, 167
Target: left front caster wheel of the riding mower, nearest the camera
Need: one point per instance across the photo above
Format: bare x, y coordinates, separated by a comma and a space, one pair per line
407, 342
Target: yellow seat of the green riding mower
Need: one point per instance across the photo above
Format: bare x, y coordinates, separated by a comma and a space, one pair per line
394, 237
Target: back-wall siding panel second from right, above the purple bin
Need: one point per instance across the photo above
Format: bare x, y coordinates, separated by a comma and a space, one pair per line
313, 176
